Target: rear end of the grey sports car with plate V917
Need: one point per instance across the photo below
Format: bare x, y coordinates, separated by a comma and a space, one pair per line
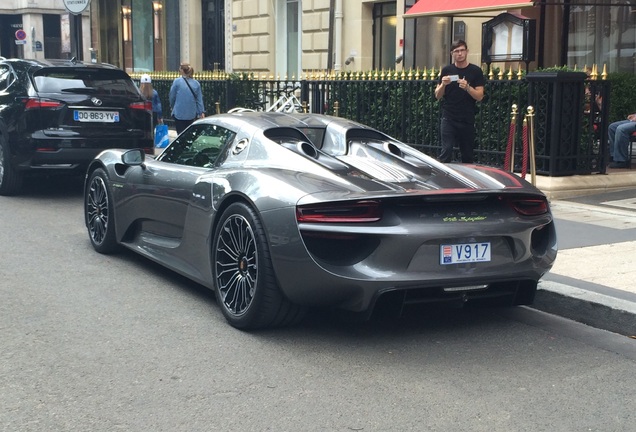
431, 247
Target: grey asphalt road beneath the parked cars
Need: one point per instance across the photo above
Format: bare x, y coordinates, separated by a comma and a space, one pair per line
115, 343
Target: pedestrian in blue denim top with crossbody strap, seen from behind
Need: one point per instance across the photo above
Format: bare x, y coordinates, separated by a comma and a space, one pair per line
186, 98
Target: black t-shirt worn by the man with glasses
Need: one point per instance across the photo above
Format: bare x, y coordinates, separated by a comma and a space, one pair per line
457, 104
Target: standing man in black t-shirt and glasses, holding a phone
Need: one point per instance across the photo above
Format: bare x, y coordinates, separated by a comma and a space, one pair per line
460, 86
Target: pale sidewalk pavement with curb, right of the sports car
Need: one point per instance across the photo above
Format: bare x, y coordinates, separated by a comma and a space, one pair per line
593, 280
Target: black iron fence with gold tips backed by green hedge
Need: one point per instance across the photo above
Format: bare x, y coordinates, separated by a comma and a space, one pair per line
570, 128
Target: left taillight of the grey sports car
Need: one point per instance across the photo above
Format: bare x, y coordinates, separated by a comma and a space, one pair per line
346, 212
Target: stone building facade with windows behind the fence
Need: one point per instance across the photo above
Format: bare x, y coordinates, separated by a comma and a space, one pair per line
287, 38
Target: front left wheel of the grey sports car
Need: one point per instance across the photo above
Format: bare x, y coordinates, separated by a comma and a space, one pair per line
98, 213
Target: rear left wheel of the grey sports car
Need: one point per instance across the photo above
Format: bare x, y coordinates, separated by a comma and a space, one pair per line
246, 286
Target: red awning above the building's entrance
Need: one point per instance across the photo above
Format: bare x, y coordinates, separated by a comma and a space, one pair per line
455, 7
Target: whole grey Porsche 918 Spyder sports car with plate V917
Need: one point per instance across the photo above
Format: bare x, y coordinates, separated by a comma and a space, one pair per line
281, 212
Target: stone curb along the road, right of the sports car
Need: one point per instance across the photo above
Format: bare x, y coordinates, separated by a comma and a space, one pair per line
587, 307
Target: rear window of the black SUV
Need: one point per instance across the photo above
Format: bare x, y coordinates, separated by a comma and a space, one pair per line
84, 81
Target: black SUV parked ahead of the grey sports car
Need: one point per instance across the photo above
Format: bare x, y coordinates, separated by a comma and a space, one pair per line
57, 115
